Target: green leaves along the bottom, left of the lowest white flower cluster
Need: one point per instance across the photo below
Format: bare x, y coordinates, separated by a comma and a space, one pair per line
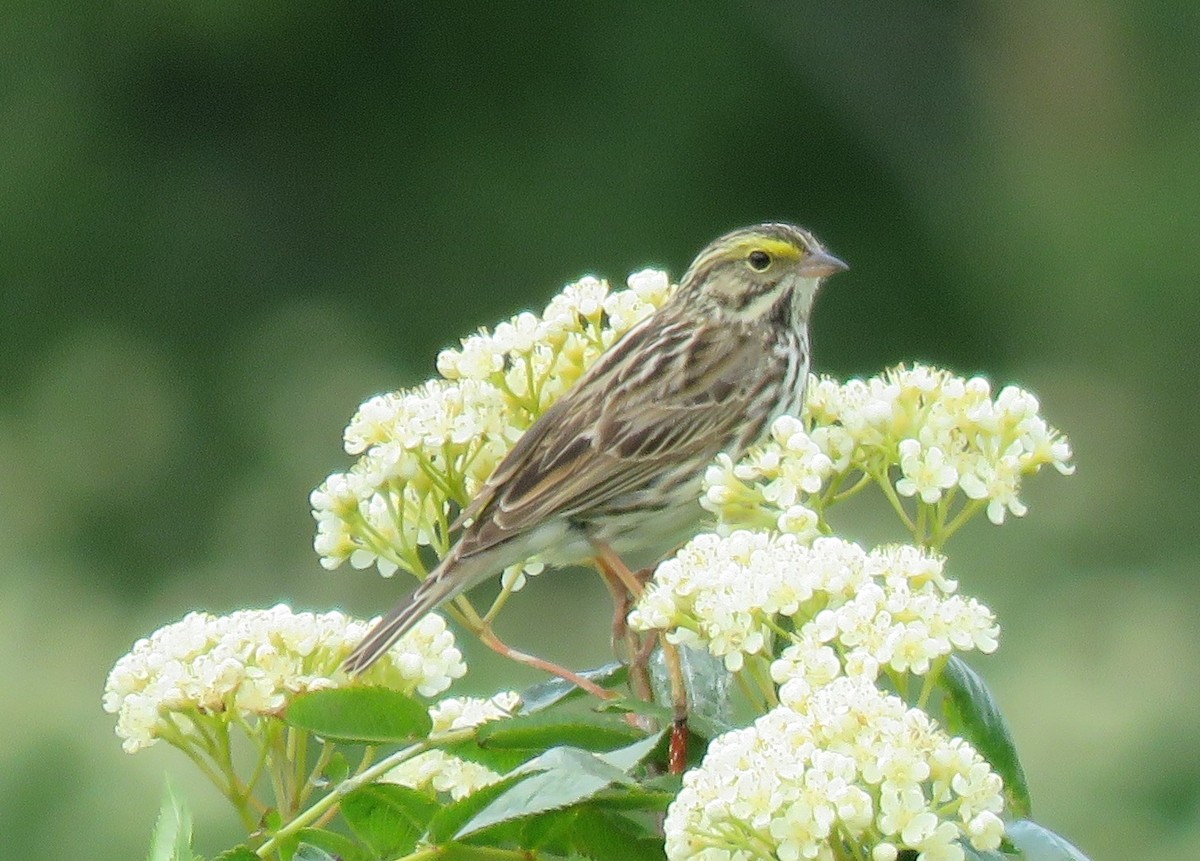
591, 798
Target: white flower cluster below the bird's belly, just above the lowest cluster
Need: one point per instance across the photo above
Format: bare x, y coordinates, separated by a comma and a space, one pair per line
843, 610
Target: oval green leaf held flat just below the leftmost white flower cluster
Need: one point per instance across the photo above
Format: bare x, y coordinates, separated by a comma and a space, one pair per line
361, 715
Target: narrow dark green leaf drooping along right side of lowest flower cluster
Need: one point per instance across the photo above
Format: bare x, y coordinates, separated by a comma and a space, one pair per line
973, 713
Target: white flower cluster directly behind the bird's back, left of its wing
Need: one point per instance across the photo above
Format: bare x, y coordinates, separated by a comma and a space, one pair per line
427, 451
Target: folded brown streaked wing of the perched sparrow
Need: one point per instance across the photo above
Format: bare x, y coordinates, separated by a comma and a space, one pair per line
599, 443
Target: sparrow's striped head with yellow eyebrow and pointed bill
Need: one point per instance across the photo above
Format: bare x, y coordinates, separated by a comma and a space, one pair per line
747, 274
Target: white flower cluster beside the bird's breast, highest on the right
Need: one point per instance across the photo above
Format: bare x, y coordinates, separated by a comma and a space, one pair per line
923, 430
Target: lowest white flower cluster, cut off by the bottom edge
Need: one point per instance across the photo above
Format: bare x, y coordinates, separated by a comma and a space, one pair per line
845, 772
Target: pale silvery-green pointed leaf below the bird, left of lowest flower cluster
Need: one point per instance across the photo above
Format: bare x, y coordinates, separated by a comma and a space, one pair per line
561, 778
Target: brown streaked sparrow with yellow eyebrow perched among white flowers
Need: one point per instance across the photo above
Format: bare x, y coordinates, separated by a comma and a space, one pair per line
615, 466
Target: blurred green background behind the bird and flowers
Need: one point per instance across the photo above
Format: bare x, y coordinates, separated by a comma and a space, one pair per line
224, 226
